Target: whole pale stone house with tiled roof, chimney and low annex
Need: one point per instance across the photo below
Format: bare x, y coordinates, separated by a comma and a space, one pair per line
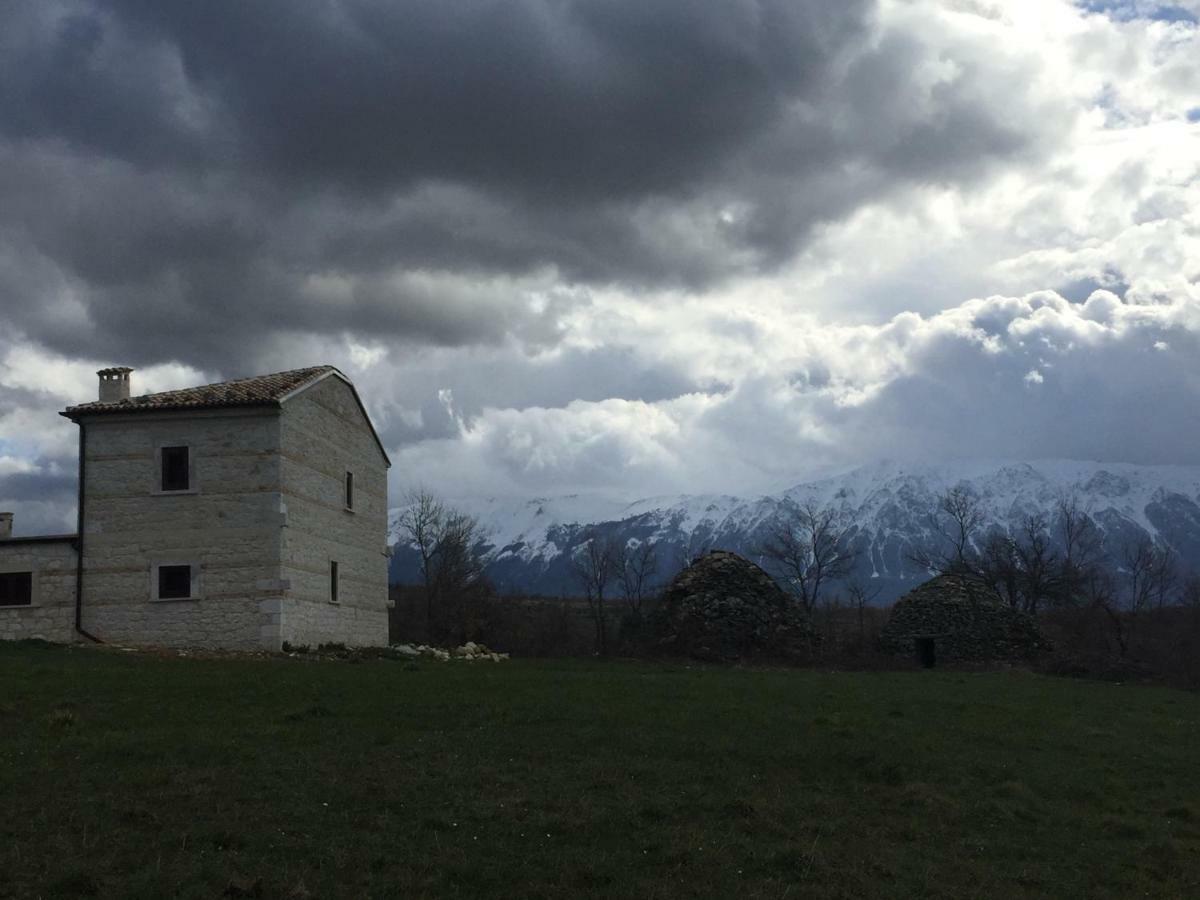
238, 515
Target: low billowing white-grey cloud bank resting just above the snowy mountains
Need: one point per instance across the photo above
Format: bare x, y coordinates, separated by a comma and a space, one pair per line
929, 387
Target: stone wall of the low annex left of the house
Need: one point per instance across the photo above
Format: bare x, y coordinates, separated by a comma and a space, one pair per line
51, 617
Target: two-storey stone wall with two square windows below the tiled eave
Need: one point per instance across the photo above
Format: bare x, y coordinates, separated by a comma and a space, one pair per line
229, 525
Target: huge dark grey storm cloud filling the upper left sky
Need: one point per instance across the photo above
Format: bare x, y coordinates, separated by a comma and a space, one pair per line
187, 181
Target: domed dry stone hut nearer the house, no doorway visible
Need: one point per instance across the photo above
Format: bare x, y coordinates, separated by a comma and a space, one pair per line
723, 608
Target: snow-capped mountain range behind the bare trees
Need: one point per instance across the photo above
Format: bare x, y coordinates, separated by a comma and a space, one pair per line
887, 507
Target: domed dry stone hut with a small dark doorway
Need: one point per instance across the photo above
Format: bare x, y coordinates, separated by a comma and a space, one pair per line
957, 619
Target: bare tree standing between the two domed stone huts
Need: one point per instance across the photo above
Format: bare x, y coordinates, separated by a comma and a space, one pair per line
809, 547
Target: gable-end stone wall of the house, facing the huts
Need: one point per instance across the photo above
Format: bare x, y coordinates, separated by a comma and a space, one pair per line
323, 436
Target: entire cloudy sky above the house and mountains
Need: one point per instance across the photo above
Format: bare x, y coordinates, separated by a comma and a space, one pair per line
611, 245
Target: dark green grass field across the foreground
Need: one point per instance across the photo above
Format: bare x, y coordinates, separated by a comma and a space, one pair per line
131, 776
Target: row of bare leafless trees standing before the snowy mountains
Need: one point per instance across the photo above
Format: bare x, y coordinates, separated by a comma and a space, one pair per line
1043, 562
